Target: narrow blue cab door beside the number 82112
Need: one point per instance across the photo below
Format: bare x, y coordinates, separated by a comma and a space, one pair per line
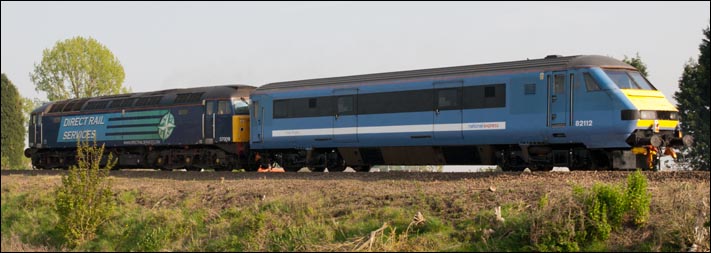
558, 99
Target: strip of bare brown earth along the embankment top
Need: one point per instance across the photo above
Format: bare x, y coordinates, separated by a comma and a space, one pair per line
345, 191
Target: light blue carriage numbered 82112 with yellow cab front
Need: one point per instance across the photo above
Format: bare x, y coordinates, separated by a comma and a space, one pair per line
582, 112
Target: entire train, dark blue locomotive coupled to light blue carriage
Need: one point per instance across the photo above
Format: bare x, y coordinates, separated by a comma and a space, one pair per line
584, 112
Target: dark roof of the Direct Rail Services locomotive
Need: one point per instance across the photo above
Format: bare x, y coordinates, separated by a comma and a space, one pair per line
151, 98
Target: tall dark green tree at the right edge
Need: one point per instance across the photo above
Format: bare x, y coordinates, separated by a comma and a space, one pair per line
693, 105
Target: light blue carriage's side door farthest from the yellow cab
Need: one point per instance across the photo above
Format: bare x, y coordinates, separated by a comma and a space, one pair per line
345, 122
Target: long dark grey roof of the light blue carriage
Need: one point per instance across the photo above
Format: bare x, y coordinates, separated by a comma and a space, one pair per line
551, 62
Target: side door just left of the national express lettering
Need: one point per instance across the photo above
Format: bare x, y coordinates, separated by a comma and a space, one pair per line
448, 111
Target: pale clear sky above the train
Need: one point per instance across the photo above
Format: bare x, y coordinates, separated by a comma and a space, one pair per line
166, 45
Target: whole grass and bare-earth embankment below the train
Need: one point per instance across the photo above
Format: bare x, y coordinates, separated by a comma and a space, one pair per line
395, 211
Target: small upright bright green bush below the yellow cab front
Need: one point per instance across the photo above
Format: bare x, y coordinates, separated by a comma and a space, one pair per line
637, 198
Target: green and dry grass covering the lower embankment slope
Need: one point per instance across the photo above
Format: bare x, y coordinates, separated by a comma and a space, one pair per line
313, 221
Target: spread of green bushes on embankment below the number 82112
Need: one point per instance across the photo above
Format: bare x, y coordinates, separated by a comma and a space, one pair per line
587, 220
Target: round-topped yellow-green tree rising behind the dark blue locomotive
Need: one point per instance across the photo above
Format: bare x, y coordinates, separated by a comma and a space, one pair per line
77, 68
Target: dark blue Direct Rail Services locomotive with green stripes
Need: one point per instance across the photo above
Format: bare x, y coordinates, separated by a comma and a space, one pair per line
180, 128
